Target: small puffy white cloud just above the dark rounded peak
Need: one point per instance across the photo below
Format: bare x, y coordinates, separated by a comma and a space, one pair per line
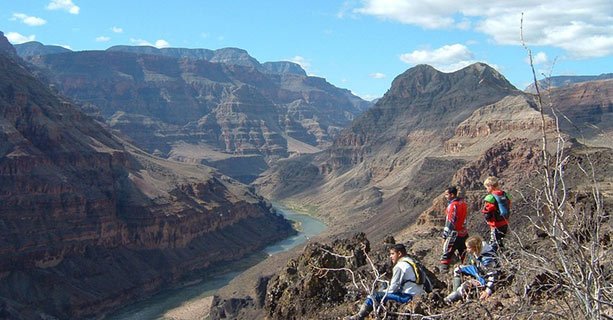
447, 58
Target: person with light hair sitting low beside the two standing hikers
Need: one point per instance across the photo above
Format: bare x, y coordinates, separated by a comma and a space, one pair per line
482, 268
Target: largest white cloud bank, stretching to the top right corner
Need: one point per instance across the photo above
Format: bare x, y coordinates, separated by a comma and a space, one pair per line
583, 28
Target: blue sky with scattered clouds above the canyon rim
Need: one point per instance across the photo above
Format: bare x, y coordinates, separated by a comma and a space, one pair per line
360, 45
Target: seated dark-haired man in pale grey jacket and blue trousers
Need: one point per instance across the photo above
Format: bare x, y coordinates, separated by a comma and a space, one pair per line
403, 286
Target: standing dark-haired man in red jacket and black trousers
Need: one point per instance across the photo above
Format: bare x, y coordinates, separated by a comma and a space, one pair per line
455, 232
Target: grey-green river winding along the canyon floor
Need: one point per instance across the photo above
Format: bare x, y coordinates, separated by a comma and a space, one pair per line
207, 283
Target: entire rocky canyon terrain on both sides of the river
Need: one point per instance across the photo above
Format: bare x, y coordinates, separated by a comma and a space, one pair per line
119, 172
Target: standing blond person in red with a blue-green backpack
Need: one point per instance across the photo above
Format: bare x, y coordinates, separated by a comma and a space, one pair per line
496, 212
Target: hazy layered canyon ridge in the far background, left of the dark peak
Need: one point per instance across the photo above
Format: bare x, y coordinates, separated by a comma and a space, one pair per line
223, 103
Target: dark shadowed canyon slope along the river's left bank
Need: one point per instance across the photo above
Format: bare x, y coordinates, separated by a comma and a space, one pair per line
89, 223
